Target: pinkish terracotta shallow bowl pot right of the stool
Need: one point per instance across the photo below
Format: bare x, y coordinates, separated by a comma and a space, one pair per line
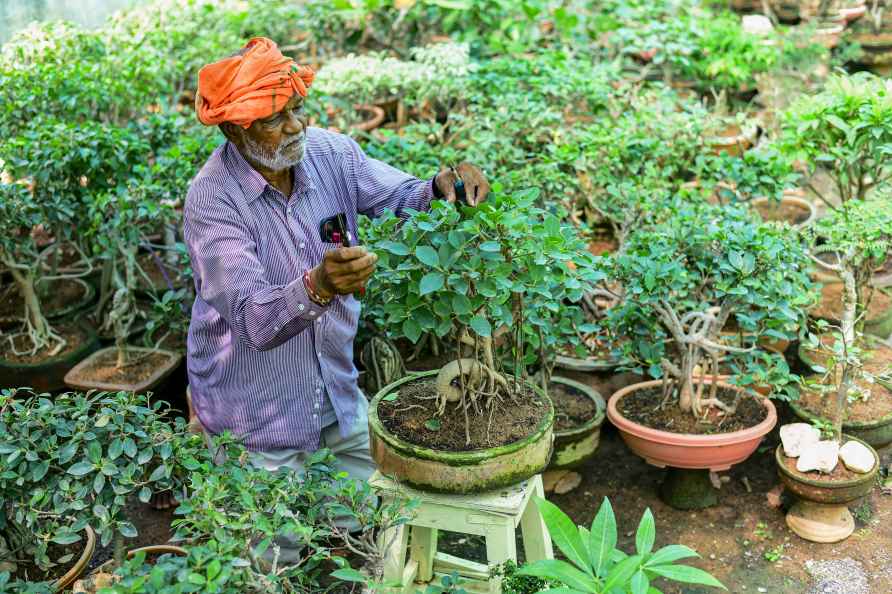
662, 448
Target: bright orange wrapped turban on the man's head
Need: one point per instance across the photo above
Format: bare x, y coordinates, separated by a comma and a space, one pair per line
249, 87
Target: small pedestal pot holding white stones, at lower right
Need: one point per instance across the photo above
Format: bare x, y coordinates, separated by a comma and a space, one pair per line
821, 513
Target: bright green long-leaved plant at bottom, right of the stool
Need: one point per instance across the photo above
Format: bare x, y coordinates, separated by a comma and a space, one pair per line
595, 566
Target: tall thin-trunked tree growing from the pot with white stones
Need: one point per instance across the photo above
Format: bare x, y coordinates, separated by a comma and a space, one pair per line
859, 234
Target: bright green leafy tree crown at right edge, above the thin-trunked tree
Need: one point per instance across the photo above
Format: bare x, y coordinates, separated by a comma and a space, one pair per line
846, 130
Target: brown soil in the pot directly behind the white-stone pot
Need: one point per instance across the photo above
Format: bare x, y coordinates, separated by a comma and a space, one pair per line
877, 405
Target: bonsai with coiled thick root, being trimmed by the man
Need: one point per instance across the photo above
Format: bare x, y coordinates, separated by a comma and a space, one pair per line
477, 279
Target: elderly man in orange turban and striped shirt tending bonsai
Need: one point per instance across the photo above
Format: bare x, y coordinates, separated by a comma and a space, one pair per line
270, 346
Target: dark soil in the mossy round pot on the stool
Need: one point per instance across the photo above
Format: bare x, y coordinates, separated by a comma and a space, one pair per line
412, 414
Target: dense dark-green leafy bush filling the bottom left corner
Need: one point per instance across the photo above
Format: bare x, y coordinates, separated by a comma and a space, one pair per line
73, 461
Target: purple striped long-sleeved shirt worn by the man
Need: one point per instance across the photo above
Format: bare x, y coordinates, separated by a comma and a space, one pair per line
263, 359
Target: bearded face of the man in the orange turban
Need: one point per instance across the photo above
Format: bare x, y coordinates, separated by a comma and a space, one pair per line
277, 142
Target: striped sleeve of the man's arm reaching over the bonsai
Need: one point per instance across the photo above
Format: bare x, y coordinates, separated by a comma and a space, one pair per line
380, 187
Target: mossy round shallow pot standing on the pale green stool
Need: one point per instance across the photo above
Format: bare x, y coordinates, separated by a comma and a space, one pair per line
473, 471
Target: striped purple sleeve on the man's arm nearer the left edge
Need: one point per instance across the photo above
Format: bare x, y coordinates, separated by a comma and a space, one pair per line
232, 280
